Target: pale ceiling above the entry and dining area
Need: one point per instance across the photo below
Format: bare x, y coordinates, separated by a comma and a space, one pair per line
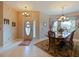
46, 7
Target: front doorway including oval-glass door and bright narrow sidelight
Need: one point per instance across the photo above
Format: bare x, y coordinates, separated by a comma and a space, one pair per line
29, 30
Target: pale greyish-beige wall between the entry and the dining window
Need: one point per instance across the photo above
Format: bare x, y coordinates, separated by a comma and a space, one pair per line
44, 29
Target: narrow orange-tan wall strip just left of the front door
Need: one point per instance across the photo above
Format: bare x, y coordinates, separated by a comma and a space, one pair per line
20, 26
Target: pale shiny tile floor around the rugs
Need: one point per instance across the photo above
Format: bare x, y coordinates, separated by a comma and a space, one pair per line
24, 51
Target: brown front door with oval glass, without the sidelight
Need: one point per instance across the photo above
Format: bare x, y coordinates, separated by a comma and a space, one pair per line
28, 30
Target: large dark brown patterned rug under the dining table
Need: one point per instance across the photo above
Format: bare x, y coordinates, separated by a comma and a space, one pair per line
45, 44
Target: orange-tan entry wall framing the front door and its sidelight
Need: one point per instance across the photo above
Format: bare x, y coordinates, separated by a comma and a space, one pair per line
21, 19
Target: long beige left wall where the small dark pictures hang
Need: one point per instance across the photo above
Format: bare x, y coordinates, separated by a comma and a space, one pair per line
9, 32
